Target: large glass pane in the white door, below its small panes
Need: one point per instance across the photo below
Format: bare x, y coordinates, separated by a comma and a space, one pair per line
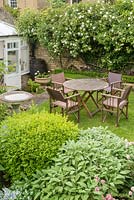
13, 61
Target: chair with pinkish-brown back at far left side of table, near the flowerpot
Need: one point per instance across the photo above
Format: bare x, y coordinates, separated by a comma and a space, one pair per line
57, 82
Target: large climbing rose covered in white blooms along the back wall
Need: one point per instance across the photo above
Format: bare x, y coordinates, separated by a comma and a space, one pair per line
99, 33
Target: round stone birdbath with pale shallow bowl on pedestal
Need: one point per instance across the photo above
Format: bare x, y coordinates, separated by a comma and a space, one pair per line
15, 98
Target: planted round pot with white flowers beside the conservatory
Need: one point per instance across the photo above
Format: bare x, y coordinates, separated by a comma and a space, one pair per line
42, 78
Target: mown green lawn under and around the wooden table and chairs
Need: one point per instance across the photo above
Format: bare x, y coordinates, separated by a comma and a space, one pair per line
126, 127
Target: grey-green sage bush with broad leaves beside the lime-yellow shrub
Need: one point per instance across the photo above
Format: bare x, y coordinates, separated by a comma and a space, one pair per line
98, 164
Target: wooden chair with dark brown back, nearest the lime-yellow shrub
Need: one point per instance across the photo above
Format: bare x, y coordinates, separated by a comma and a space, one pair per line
68, 104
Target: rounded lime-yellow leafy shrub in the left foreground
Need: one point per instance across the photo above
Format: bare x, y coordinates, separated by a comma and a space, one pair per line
29, 141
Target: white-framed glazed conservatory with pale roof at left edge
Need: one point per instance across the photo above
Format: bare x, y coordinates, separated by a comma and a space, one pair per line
14, 53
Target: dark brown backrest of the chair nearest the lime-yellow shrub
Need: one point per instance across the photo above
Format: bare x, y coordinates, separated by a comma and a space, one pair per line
55, 94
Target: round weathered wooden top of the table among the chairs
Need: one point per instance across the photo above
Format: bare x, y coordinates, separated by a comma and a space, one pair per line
85, 84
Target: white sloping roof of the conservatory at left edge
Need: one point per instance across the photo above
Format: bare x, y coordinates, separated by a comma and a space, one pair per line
7, 29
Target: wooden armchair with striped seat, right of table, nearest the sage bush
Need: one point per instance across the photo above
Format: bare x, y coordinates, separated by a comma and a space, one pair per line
116, 104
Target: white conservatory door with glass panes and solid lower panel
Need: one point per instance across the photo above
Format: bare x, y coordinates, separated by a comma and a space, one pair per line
12, 61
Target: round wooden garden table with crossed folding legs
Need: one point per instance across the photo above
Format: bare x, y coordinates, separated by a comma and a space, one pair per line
88, 86
